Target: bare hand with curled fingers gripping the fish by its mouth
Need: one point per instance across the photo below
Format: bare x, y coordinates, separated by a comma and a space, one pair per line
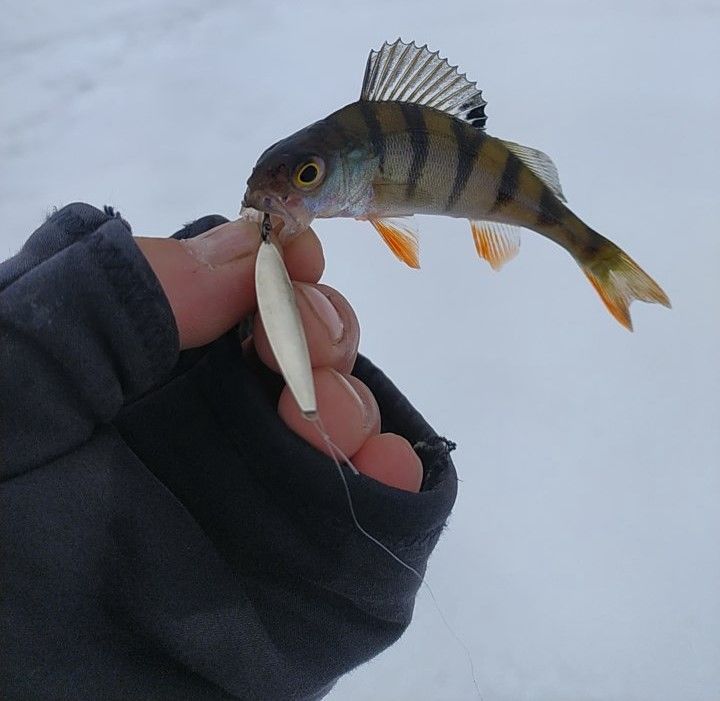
209, 283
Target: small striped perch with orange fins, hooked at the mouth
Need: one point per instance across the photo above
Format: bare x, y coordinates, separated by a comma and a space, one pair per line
415, 143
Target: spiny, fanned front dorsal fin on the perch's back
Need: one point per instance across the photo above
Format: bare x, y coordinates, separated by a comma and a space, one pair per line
409, 73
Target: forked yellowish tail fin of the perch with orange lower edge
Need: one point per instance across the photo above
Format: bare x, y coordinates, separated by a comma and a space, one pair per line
619, 280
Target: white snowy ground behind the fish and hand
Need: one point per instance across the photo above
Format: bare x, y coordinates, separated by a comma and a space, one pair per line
582, 561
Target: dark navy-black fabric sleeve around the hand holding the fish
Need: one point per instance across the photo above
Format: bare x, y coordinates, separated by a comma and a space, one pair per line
163, 534
